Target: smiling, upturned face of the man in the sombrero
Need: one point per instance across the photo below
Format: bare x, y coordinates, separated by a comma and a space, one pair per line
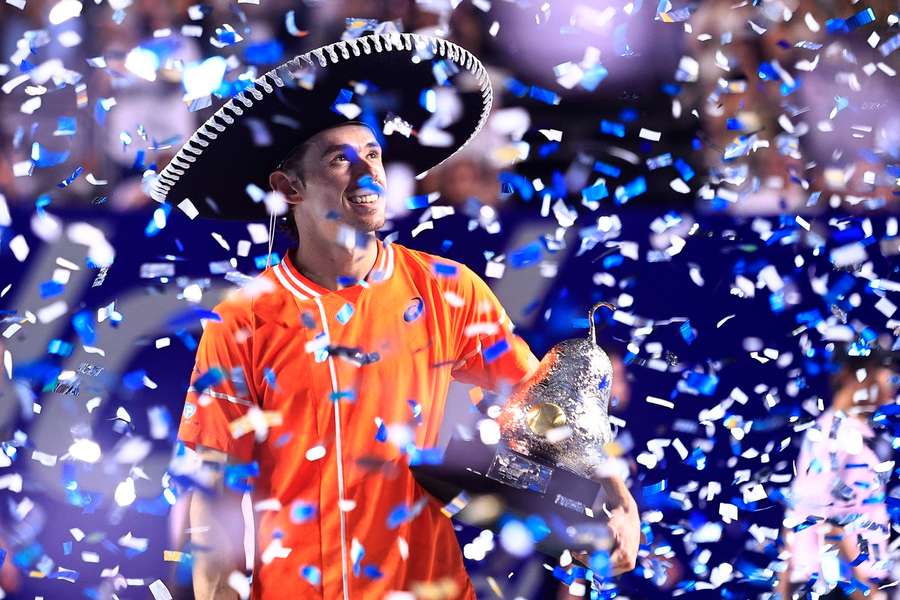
343, 180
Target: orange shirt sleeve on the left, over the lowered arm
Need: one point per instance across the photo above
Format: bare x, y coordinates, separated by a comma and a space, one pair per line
220, 397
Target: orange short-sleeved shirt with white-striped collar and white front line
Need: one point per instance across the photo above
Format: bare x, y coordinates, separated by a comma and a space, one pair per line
332, 430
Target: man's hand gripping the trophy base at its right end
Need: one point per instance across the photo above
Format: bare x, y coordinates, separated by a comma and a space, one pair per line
624, 526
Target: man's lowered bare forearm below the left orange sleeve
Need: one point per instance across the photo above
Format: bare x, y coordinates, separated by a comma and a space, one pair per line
217, 533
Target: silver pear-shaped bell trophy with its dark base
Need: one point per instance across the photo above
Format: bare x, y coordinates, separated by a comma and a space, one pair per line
553, 431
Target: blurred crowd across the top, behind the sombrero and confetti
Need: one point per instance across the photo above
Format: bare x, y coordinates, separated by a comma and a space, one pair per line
742, 94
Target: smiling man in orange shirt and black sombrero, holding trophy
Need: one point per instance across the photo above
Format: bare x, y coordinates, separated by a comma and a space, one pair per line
331, 369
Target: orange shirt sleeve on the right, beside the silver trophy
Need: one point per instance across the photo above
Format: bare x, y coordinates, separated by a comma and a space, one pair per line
488, 353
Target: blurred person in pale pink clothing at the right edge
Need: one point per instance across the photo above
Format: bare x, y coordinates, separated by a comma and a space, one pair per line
837, 524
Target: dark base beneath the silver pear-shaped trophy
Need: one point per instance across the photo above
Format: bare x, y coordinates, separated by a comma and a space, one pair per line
519, 485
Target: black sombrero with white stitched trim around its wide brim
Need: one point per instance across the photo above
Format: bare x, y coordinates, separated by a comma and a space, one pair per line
424, 97
